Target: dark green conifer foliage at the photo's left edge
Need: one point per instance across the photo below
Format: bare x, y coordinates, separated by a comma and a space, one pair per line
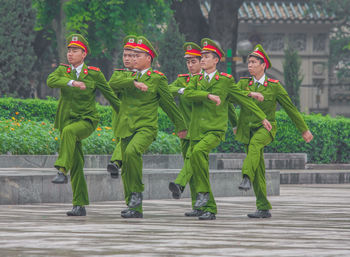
17, 55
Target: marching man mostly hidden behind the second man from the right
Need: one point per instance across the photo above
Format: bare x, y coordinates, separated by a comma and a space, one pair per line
193, 58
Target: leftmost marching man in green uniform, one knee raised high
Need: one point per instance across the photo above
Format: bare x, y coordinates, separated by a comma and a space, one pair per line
77, 116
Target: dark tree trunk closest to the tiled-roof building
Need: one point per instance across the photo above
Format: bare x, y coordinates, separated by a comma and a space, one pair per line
223, 26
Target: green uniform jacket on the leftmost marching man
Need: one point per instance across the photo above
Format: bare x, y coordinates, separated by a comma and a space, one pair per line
77, 104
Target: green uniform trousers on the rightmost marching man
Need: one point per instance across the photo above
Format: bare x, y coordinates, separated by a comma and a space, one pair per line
254, 165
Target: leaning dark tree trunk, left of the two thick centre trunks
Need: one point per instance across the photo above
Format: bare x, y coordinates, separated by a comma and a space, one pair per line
192, 23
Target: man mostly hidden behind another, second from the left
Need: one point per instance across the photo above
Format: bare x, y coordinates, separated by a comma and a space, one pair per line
128, 59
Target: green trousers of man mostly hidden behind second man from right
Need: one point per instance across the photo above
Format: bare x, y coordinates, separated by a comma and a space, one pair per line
185, 175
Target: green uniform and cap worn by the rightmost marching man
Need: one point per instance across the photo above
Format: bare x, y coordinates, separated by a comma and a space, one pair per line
255, 137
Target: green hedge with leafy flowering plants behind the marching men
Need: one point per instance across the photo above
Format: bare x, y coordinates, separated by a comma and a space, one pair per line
331, 142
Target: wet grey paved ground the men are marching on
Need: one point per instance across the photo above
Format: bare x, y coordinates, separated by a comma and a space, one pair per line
308, 220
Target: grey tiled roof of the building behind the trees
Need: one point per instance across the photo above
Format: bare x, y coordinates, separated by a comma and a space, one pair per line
295, 11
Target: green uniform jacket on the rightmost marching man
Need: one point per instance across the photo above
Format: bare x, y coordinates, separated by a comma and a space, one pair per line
273, 93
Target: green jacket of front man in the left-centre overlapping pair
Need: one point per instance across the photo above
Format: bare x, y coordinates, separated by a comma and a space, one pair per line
138, 109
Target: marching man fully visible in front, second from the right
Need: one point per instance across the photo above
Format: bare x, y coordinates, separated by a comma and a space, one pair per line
210, 94
